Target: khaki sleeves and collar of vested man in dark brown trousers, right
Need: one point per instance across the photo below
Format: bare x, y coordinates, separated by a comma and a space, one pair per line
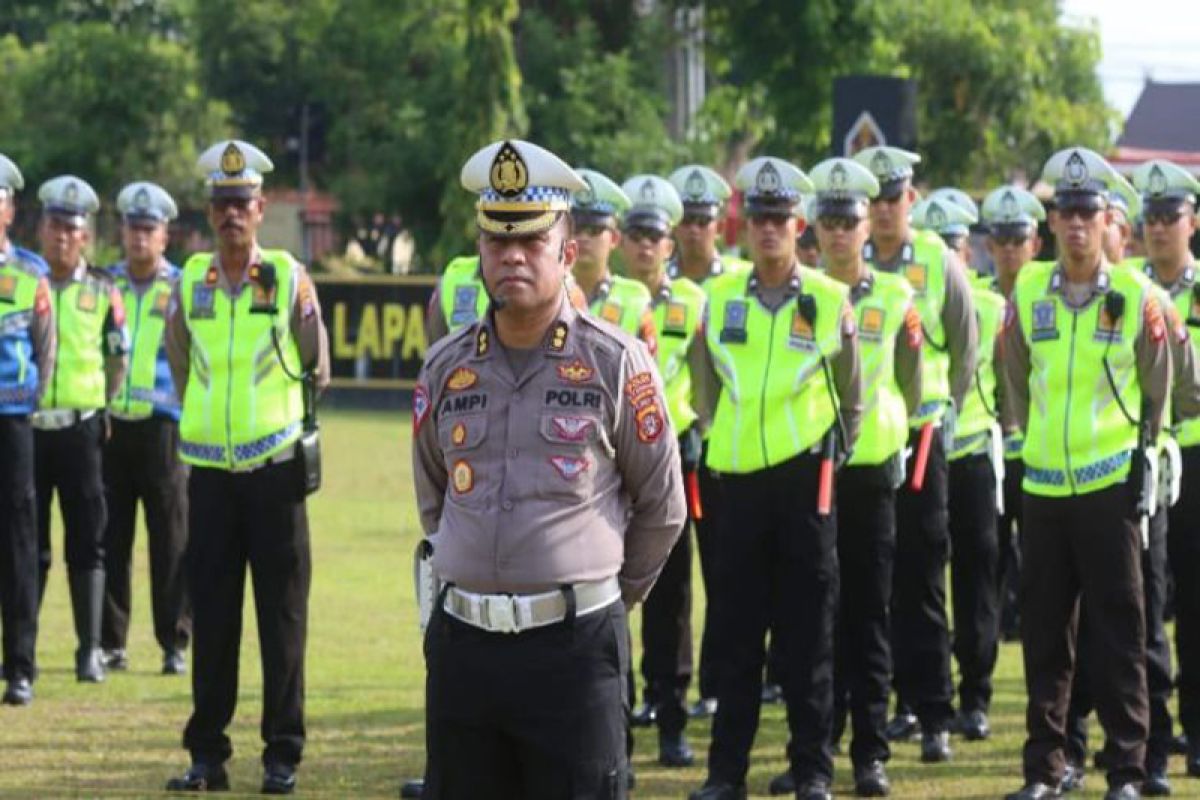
1153, 356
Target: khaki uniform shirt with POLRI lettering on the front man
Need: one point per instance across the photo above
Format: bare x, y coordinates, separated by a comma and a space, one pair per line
567, 473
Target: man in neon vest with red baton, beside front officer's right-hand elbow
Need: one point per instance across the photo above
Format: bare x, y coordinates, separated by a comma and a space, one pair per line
679, 306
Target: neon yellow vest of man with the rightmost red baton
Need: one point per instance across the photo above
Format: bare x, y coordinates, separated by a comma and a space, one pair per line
923, 264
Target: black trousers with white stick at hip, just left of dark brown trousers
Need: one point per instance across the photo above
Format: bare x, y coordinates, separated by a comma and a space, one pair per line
975, 557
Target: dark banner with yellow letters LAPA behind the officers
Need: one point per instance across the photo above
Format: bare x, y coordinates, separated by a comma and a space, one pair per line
376, 329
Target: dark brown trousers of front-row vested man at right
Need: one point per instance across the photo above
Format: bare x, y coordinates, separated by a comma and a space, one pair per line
1088, 546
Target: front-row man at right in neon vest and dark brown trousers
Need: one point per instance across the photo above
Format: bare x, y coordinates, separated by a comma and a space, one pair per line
1088, 372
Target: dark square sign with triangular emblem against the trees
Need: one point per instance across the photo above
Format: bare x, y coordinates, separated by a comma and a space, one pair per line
872, 111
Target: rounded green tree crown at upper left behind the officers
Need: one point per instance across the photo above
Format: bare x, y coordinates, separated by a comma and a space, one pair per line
111, 109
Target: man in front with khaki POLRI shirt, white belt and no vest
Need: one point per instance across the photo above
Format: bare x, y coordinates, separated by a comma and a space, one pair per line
549, 486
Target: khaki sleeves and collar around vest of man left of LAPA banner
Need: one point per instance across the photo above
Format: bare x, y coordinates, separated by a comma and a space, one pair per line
307, 324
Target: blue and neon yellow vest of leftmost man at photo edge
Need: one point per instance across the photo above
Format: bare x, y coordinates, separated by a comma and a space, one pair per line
19, 365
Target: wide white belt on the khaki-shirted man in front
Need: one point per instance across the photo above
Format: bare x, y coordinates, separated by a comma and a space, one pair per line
518, 613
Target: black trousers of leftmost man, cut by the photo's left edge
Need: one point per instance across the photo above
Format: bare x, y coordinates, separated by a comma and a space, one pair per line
19, 548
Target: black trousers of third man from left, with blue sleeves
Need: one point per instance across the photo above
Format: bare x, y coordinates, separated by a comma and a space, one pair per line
142, 465
